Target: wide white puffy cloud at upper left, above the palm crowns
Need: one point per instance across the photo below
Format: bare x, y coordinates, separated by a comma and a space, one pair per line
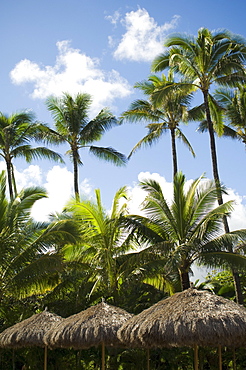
73, 72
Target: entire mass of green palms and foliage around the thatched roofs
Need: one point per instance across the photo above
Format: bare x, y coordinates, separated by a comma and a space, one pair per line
87, 253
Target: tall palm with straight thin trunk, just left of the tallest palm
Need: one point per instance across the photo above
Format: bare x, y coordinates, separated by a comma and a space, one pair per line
167, 115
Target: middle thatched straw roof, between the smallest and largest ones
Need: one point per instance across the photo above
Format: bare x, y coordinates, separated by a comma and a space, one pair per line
96, 325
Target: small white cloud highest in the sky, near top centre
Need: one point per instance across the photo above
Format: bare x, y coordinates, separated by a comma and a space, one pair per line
143, 39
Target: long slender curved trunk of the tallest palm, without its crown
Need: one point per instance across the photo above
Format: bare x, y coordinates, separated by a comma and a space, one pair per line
236, 278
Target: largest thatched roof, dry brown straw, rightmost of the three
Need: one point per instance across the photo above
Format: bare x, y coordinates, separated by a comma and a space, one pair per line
185, 319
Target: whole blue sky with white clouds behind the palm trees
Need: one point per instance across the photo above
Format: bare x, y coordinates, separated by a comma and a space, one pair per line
104, 48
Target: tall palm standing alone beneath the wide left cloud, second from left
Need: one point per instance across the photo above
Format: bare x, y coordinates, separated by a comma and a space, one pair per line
73, 126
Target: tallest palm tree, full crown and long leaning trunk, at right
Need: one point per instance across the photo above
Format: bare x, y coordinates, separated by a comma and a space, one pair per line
212, 58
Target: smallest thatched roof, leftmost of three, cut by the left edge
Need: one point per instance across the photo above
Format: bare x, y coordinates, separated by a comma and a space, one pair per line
29, 332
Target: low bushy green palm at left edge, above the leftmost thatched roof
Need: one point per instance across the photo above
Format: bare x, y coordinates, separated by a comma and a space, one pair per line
28, 262
